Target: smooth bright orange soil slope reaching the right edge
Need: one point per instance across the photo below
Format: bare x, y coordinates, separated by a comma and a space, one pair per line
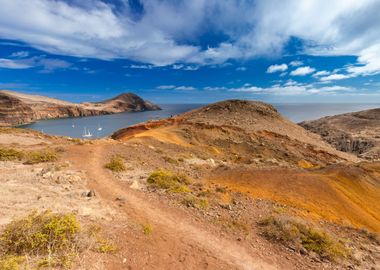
345, 195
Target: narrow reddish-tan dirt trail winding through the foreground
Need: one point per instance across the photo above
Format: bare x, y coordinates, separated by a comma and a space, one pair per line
176, 229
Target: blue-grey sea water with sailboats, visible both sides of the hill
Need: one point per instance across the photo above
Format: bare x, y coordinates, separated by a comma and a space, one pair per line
74, 127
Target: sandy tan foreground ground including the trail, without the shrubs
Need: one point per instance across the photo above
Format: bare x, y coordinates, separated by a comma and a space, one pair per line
182, 237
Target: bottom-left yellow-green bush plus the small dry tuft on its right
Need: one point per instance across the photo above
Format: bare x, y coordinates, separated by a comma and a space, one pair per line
47, 239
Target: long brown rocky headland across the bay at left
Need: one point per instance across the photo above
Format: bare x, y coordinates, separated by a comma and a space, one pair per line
17, 108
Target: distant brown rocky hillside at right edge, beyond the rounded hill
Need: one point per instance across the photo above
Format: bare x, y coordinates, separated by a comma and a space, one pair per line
357, 132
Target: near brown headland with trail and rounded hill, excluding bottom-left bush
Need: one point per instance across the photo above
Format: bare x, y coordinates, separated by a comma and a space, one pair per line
233, 185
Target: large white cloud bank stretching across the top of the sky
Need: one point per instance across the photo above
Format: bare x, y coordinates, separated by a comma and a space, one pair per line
165, 31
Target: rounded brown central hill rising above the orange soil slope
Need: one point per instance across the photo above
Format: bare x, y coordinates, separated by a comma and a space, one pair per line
247, 132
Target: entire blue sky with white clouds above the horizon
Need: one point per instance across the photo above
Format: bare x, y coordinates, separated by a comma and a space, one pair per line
192, 51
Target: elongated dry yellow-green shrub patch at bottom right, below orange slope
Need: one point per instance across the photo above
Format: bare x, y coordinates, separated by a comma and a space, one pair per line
298, 235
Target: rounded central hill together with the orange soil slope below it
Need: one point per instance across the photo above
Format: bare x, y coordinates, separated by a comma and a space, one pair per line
254, 150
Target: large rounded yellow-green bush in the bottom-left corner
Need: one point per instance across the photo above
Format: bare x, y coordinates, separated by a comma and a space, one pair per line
54, 236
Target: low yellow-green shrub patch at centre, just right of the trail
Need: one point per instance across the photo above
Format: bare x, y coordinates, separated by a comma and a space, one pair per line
169, 181
